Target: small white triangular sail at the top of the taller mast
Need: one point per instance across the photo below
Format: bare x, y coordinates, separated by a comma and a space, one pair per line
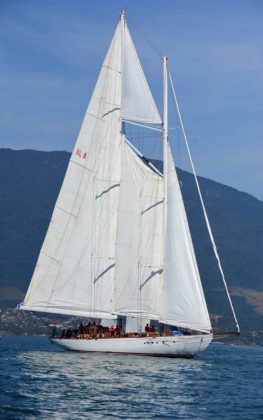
137, 101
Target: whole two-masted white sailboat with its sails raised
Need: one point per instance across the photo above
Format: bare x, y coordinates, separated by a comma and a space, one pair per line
118, 245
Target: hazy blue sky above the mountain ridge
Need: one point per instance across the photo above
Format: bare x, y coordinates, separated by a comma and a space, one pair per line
51, 53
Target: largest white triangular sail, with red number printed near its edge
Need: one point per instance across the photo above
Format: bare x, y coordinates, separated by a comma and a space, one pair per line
75, 269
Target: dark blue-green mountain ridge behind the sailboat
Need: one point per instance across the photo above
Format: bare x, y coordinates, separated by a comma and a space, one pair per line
29, 185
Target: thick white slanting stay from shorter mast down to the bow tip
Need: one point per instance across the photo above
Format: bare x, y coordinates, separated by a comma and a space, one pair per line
203, 205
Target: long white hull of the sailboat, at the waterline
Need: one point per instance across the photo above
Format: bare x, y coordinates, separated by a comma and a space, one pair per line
178, 346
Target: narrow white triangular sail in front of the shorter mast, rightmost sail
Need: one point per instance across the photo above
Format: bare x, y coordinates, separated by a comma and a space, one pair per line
183, 302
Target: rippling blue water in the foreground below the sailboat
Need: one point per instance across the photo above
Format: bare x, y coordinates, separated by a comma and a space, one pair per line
40, 381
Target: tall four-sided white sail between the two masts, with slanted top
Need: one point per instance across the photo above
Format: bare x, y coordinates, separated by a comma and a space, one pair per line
139, 255
